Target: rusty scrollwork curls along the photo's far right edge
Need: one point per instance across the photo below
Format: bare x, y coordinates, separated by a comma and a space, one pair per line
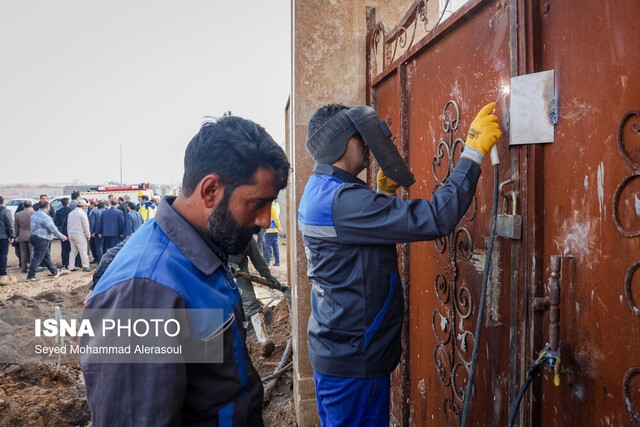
626, 382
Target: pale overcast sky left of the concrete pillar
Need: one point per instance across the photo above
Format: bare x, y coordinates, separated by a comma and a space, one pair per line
80, 77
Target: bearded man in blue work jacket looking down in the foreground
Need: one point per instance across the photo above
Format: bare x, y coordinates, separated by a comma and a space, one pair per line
233, 170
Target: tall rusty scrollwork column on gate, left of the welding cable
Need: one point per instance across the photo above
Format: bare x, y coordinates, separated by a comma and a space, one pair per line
452, 353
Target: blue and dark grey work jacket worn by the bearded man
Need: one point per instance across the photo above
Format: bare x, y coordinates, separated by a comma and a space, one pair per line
167, 263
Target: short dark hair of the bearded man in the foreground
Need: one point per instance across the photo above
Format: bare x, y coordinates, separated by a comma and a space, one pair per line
232, 148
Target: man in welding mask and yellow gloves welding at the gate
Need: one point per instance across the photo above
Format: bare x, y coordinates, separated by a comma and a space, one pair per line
350, 234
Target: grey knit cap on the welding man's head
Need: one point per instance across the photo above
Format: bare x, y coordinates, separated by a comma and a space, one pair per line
329, 142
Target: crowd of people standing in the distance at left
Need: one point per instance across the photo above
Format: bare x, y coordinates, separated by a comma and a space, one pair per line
84, 228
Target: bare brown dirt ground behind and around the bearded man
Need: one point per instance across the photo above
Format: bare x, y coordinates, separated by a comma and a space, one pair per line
37, 394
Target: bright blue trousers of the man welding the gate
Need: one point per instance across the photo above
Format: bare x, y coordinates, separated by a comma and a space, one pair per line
353, 401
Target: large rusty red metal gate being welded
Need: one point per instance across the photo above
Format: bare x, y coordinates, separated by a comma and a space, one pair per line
579, 196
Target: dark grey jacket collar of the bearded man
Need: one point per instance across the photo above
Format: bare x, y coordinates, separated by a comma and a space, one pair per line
187, 238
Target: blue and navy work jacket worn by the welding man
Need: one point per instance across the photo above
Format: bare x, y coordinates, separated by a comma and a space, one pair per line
350, 235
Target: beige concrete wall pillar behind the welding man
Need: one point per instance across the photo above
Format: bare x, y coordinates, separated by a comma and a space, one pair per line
328, 66
